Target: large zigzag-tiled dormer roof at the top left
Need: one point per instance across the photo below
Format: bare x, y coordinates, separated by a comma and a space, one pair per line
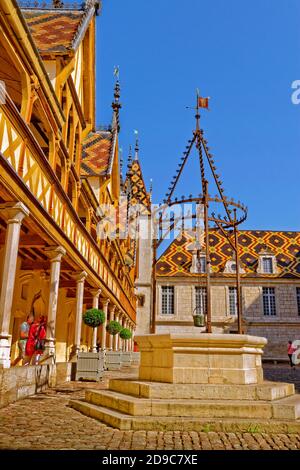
53, 31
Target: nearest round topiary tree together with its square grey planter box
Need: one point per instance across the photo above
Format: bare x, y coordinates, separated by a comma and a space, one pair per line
90, 365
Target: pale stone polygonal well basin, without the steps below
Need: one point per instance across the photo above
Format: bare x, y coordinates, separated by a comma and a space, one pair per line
203, 359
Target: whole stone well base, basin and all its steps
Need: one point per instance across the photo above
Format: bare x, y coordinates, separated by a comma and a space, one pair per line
187, 382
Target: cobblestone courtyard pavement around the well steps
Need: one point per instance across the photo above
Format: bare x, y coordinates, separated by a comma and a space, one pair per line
46, 422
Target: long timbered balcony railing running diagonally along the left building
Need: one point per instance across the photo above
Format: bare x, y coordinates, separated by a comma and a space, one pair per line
20, 148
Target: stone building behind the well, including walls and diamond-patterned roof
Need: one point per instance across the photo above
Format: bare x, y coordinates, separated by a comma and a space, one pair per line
270, 267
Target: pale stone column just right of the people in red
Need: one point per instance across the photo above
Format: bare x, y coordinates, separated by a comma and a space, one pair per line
55, 253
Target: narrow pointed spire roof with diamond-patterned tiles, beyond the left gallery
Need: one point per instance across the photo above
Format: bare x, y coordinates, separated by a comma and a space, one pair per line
137, 186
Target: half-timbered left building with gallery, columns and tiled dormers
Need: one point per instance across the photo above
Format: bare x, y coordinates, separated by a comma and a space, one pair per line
56, 169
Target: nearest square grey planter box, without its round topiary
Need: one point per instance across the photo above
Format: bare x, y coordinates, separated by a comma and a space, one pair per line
90, 366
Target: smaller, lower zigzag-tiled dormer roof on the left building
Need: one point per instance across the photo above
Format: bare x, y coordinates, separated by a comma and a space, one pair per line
96, 154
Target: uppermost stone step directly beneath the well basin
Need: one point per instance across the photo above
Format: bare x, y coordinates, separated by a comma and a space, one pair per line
264, 391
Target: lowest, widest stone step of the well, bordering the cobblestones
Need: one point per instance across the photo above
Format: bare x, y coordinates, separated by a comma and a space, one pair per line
122, 421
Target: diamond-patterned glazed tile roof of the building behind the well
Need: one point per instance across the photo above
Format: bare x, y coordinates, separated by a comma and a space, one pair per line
177, 260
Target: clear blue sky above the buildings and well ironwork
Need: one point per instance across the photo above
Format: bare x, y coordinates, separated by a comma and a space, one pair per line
245, 56
